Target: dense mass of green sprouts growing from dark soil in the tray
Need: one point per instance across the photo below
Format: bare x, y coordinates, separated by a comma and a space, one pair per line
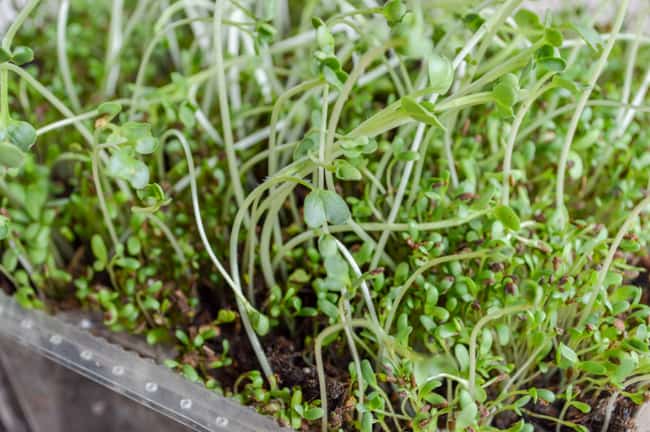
353, 215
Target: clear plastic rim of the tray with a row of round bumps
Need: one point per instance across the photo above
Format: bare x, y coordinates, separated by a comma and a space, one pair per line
126, 373
